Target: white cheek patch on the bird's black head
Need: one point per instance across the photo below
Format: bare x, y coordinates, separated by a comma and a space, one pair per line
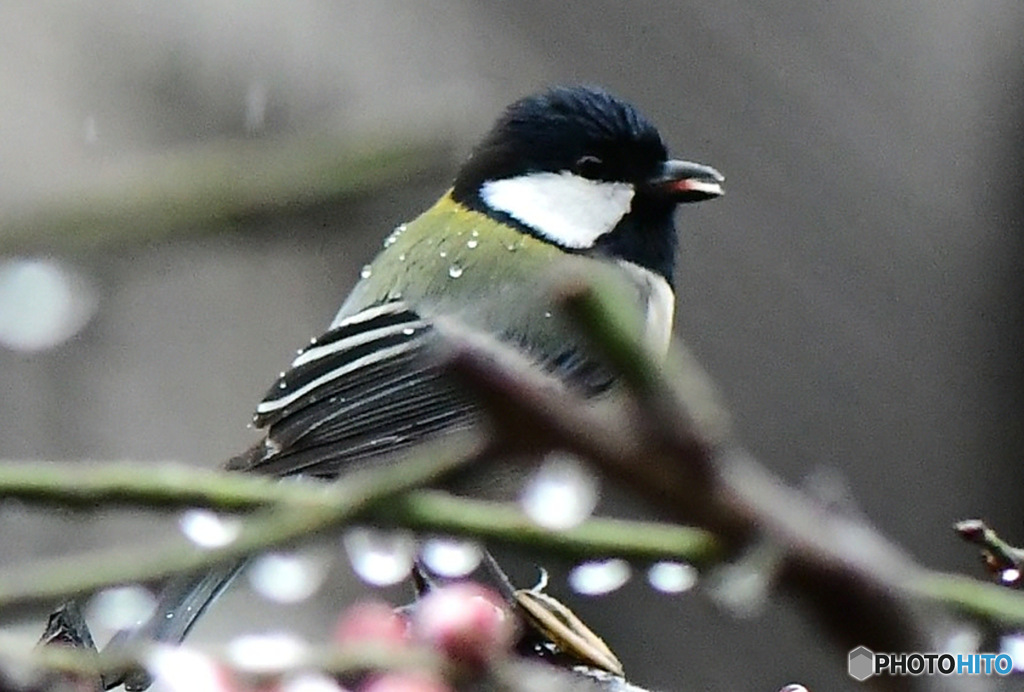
567, 209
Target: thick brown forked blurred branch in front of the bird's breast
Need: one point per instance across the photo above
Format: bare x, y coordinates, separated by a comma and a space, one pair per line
671, 444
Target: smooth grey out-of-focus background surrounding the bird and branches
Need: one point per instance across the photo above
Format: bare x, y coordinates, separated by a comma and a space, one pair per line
856, 295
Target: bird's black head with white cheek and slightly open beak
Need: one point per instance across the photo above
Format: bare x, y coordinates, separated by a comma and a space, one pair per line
580, 168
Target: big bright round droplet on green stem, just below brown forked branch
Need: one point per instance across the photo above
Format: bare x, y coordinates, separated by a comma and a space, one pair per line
562, 494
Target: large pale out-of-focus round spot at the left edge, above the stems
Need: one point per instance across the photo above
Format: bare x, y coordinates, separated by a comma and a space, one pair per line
42, 305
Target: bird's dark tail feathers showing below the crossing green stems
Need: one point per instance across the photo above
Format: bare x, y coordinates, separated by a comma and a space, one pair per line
180, 605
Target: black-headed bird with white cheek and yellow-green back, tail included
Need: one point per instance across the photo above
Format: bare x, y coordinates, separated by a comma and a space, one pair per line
571, 174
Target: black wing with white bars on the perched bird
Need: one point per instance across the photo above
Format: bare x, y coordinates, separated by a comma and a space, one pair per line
366, 388
